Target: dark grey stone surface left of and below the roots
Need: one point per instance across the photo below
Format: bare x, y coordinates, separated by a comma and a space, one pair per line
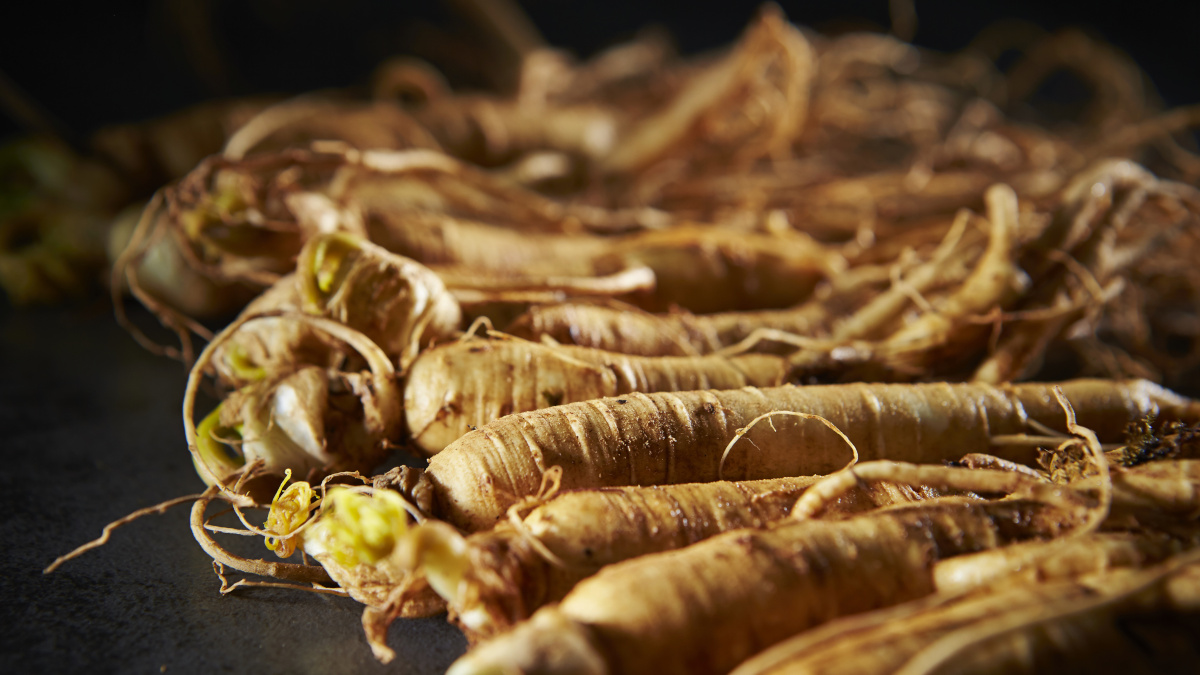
89, 432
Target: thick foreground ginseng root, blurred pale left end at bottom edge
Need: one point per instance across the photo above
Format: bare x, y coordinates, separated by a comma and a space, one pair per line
701, 619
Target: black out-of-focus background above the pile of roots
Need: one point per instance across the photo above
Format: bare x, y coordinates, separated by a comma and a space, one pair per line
101, 63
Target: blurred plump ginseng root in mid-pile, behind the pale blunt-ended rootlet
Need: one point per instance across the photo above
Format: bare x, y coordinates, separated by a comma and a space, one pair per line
701, 268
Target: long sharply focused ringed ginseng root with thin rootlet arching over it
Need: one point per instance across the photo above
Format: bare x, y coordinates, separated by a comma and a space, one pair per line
681, 438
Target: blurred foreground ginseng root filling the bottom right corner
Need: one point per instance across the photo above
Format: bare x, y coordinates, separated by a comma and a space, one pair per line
1109, 631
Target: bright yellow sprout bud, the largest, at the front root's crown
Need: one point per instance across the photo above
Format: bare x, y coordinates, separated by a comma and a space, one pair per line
362, 529
